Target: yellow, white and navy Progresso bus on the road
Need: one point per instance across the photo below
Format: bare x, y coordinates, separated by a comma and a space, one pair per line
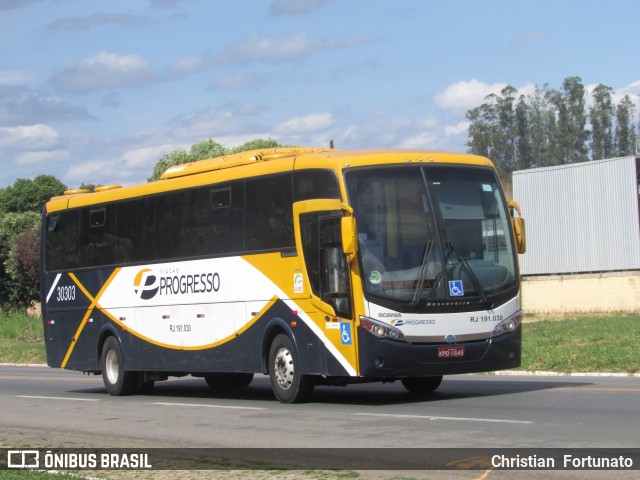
311, 266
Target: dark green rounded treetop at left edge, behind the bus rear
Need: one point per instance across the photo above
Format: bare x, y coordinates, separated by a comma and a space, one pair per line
30, 195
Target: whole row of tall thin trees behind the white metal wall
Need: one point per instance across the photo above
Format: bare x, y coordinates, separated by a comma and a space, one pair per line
549, 127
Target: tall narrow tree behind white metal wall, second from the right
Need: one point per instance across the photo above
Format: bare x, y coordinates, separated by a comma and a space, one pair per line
602, 114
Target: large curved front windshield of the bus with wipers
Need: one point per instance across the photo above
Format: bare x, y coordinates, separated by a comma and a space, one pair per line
432, 233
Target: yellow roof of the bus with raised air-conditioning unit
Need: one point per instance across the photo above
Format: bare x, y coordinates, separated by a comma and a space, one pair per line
254, 163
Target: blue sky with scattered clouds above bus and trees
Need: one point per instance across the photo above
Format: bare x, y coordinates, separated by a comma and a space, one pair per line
96, 92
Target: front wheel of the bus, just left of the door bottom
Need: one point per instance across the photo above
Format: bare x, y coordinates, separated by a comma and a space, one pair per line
288, 384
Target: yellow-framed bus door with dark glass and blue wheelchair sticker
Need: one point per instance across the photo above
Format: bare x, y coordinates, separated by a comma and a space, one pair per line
325, 234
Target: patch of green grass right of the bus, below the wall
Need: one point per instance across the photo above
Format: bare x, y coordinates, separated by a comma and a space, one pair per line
583, 343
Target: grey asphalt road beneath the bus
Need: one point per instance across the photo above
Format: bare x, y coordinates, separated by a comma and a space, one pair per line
68, 409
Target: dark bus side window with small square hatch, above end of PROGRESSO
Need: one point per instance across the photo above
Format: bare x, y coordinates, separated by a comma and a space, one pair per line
220, 219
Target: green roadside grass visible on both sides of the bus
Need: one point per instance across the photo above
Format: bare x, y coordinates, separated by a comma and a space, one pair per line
576, 343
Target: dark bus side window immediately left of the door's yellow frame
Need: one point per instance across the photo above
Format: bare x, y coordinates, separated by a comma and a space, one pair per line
269, 213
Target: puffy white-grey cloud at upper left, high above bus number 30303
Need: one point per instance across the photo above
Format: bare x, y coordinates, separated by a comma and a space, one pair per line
104, 71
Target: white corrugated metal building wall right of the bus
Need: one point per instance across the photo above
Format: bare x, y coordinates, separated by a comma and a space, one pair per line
581, 217
